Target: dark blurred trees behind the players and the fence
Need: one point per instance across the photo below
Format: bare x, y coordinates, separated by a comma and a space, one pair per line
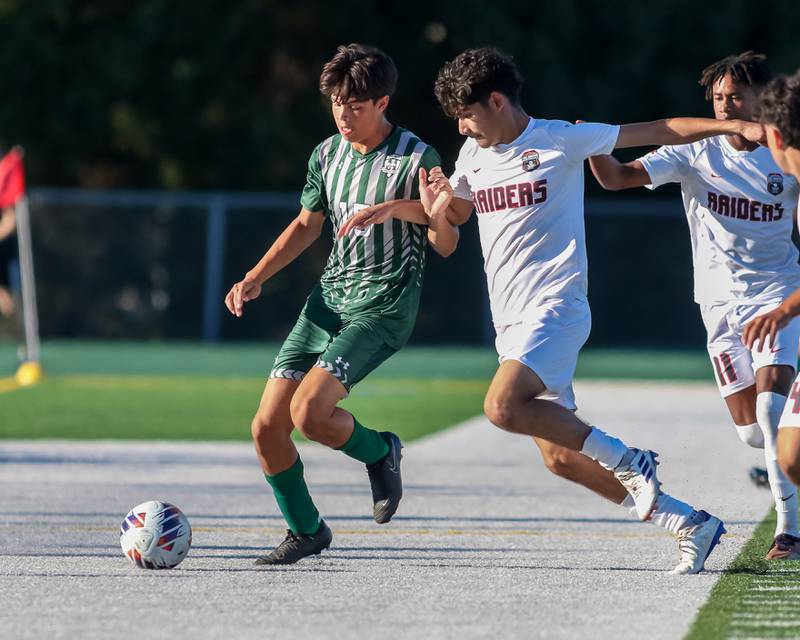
212, 95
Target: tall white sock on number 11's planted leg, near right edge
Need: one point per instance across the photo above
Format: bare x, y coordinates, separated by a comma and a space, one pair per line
769, 407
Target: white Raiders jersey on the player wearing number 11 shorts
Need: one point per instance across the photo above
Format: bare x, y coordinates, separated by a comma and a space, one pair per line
740, 208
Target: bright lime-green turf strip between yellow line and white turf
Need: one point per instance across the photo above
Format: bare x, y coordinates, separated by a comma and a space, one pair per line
213, 408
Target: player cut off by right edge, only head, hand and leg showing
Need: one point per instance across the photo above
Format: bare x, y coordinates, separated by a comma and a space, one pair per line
780, 112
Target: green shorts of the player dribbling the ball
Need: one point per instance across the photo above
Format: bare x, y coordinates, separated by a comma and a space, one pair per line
348, 350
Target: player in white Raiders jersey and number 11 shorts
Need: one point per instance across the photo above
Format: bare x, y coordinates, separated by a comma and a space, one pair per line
740, 206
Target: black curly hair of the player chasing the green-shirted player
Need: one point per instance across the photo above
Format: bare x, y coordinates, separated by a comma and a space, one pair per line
472, 76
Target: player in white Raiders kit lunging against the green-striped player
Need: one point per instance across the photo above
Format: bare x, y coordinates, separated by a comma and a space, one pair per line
524, 177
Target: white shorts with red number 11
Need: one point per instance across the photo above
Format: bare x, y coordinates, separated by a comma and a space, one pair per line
734, 364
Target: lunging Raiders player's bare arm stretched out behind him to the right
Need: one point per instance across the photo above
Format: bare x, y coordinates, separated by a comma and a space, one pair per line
684, 131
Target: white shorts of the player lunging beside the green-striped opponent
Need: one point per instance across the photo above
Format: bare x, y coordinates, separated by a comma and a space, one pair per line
548, 342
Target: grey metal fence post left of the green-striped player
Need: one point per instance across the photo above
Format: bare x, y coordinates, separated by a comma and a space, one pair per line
215, 261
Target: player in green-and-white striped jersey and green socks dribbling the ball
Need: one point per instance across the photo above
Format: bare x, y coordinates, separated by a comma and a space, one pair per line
363, 309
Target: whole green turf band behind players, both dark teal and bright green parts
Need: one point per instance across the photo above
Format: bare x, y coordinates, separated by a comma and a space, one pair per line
188, 391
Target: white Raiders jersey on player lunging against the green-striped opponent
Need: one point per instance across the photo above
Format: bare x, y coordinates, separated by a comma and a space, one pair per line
528, 196
